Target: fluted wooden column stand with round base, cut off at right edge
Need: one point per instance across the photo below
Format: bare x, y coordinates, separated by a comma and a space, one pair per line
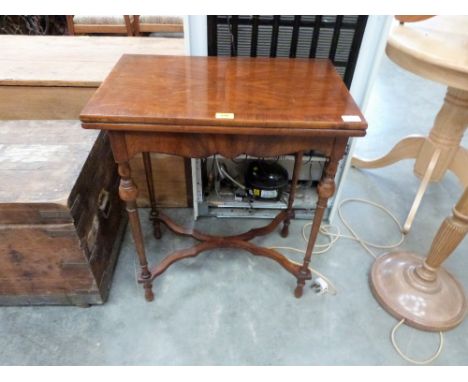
419, 290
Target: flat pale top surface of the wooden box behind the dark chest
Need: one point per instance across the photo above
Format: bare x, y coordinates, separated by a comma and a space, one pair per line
72, 60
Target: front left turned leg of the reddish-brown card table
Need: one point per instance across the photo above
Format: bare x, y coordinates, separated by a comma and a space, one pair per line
128, 193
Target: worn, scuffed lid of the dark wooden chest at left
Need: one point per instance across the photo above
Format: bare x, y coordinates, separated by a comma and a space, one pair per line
40, 162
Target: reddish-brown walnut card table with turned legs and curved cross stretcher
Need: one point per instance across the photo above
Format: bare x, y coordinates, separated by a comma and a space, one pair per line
201, 106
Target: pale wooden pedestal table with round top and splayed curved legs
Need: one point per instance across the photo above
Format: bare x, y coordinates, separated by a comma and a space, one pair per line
433, 49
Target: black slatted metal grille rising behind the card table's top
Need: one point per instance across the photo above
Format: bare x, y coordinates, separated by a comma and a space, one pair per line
335, 37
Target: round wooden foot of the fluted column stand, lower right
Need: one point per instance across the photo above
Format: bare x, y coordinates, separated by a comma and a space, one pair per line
436, 305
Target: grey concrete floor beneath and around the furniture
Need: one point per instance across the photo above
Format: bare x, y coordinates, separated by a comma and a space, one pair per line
230, 308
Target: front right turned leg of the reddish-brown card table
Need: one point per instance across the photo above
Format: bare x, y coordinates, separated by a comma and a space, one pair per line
325, 189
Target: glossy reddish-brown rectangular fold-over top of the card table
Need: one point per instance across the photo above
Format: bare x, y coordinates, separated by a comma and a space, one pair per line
145, 91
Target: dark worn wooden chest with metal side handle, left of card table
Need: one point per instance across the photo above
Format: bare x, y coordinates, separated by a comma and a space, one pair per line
61, 220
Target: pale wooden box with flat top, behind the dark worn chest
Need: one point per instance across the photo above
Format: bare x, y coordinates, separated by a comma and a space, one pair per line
42, 77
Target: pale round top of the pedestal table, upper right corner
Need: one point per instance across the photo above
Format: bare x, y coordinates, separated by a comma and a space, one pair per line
436, 48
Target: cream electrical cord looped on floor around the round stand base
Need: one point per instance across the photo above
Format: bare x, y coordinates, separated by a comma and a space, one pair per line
334, 236
